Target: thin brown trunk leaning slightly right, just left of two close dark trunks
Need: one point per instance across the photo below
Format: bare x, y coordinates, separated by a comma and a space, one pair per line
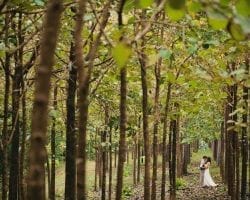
164, 143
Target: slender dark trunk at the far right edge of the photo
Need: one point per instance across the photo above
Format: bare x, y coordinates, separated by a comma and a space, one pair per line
244, 139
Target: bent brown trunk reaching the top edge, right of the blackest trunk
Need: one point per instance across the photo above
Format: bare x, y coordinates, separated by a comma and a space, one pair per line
82, 103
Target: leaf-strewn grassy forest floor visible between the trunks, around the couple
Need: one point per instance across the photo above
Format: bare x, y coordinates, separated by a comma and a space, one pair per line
188, 187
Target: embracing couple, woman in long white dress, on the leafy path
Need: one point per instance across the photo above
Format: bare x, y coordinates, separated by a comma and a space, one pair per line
205, 177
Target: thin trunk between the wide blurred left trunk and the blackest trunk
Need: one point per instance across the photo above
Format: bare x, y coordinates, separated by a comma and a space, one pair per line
53, 150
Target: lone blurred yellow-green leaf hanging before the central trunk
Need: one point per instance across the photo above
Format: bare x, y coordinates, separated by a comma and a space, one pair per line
121, 53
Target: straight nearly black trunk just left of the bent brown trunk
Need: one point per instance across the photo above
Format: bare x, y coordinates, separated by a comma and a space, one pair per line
70, 165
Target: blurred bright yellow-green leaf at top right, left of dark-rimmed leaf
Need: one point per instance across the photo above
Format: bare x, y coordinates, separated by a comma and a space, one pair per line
216, 20
